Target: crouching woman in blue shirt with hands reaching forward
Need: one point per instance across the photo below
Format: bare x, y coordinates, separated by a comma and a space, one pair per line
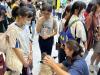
75, 64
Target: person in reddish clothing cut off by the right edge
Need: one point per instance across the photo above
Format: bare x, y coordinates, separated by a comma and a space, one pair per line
96, 45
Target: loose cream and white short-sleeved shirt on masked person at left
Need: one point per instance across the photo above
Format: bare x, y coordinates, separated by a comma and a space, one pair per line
18, 38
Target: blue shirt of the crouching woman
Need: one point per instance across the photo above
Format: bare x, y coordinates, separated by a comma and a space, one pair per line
79, 67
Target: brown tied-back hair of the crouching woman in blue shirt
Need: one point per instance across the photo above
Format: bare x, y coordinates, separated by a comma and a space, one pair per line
73, 45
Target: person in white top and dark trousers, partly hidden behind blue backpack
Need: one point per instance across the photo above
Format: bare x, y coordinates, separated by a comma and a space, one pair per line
63, 25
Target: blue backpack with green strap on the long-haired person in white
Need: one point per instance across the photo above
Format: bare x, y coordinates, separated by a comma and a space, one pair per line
66, 34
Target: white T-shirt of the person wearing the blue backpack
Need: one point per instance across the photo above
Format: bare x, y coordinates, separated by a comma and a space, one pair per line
80, 31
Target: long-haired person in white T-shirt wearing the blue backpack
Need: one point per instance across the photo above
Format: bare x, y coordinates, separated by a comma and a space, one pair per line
77, 28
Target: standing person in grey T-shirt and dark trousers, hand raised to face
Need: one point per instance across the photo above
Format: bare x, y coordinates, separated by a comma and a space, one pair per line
47, 28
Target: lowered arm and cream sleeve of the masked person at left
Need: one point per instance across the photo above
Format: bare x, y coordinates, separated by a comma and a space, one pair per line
15, 45
